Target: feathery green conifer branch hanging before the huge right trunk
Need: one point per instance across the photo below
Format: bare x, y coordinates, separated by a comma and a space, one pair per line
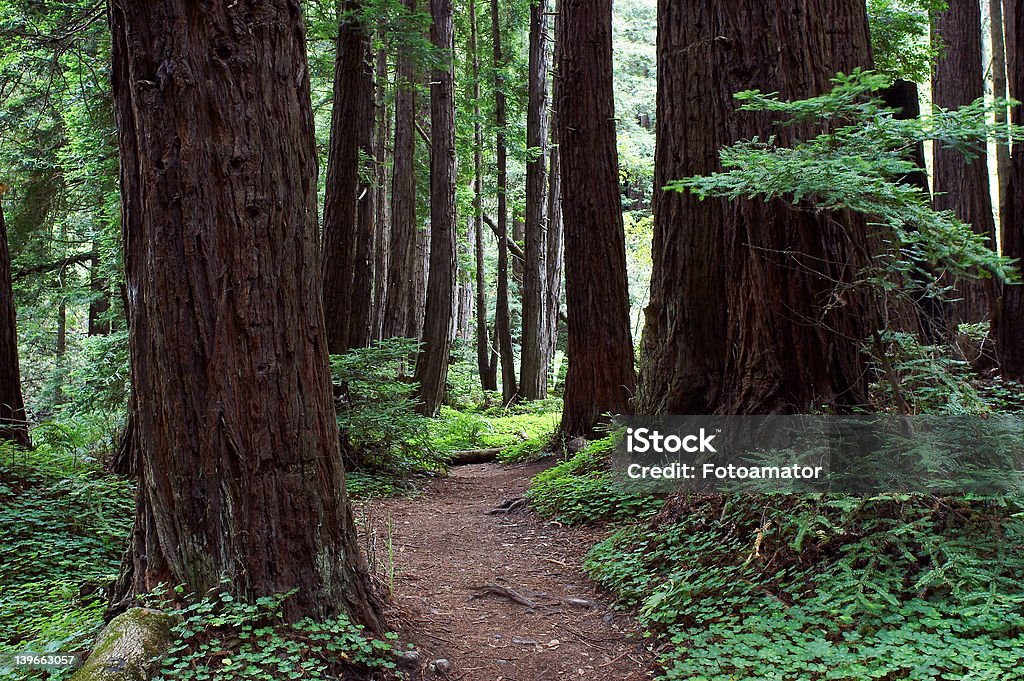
858, 163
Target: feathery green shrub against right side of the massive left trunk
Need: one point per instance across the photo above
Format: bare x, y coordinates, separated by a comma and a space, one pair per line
377, 410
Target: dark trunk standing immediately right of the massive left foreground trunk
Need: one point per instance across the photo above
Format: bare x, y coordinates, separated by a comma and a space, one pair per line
349, 211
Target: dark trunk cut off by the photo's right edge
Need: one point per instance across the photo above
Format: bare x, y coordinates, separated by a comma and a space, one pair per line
1009, 322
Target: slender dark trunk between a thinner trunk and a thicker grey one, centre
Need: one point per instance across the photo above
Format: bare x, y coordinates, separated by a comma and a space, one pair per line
503, 320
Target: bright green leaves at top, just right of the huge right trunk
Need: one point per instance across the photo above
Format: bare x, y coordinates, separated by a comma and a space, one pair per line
901, 32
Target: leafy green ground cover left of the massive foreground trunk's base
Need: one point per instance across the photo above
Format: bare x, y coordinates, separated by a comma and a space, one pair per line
64, 526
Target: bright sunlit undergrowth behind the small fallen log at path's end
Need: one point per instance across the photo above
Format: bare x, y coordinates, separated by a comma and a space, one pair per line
524, 432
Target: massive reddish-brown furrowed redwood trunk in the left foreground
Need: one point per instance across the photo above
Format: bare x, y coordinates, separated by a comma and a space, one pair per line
235, 434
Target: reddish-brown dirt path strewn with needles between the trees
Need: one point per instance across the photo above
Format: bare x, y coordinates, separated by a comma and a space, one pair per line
498, 598
